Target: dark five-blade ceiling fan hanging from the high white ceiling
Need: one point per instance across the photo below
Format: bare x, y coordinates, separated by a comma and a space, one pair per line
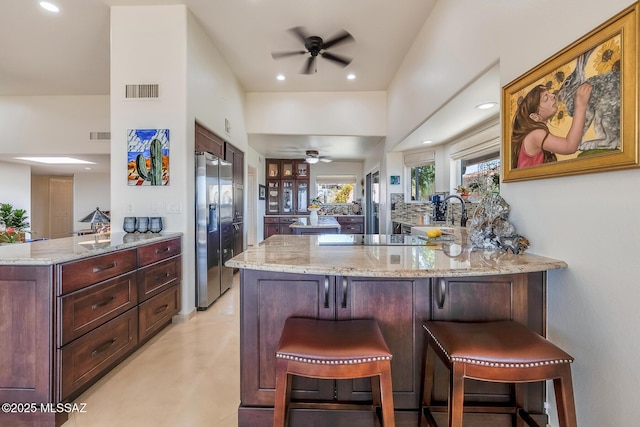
315, 46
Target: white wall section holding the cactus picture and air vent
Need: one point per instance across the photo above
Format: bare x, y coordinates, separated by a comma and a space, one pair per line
154, 53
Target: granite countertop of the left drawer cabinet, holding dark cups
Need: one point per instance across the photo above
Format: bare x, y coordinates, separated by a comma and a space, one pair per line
54, 251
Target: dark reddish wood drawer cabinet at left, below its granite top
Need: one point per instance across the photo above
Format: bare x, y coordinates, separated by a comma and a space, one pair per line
63, 326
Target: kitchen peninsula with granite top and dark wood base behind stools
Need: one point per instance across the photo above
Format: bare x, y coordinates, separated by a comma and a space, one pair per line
398, 280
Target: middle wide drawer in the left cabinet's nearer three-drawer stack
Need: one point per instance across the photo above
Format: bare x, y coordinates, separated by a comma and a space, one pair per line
91, 307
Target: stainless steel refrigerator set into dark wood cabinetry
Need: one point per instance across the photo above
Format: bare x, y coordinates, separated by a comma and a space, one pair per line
214, 229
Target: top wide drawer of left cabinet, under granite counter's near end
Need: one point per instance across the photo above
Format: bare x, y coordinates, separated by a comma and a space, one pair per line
78, 274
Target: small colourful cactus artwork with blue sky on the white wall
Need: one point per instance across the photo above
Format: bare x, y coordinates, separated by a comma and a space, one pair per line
148, 156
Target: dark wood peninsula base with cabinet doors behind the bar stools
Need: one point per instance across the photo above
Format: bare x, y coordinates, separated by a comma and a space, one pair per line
400, 305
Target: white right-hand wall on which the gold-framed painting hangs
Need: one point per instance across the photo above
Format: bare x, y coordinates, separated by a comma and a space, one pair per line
592, 310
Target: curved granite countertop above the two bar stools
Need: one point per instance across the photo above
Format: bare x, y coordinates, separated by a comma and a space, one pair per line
304, 254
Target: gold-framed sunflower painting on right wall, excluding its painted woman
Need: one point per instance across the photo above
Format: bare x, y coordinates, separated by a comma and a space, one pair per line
607, 59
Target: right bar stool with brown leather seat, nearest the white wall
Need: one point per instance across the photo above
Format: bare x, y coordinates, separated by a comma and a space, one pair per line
504, 351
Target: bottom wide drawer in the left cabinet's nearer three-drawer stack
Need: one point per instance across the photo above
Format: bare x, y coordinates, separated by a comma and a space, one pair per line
95, 352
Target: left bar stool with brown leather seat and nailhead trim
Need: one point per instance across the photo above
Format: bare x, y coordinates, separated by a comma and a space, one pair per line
340, 349
